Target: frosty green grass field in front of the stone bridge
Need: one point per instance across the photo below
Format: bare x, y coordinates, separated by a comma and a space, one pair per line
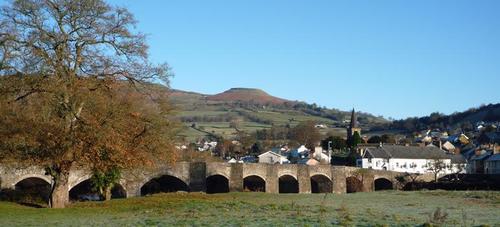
258, 209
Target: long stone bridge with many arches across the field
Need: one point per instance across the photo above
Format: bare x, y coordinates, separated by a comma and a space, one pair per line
214, 178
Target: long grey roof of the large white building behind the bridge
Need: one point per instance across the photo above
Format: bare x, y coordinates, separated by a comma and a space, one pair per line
406, 152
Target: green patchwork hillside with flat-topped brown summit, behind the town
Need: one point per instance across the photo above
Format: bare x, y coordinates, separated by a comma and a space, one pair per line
254, 109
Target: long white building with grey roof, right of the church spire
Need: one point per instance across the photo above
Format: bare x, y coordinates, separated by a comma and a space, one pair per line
406, 159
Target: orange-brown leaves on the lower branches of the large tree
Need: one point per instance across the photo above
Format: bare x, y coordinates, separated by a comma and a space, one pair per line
117, 126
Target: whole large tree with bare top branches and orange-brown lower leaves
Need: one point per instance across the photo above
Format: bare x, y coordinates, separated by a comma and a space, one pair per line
74, 89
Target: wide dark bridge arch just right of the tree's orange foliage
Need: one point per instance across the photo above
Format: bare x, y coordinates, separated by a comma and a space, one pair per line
164, 183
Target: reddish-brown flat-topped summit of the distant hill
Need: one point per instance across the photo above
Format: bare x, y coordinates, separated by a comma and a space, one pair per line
247, 95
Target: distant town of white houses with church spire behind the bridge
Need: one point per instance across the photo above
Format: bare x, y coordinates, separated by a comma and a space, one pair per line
459, 151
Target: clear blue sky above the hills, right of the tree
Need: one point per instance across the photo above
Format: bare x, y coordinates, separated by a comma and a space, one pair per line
390, 58
